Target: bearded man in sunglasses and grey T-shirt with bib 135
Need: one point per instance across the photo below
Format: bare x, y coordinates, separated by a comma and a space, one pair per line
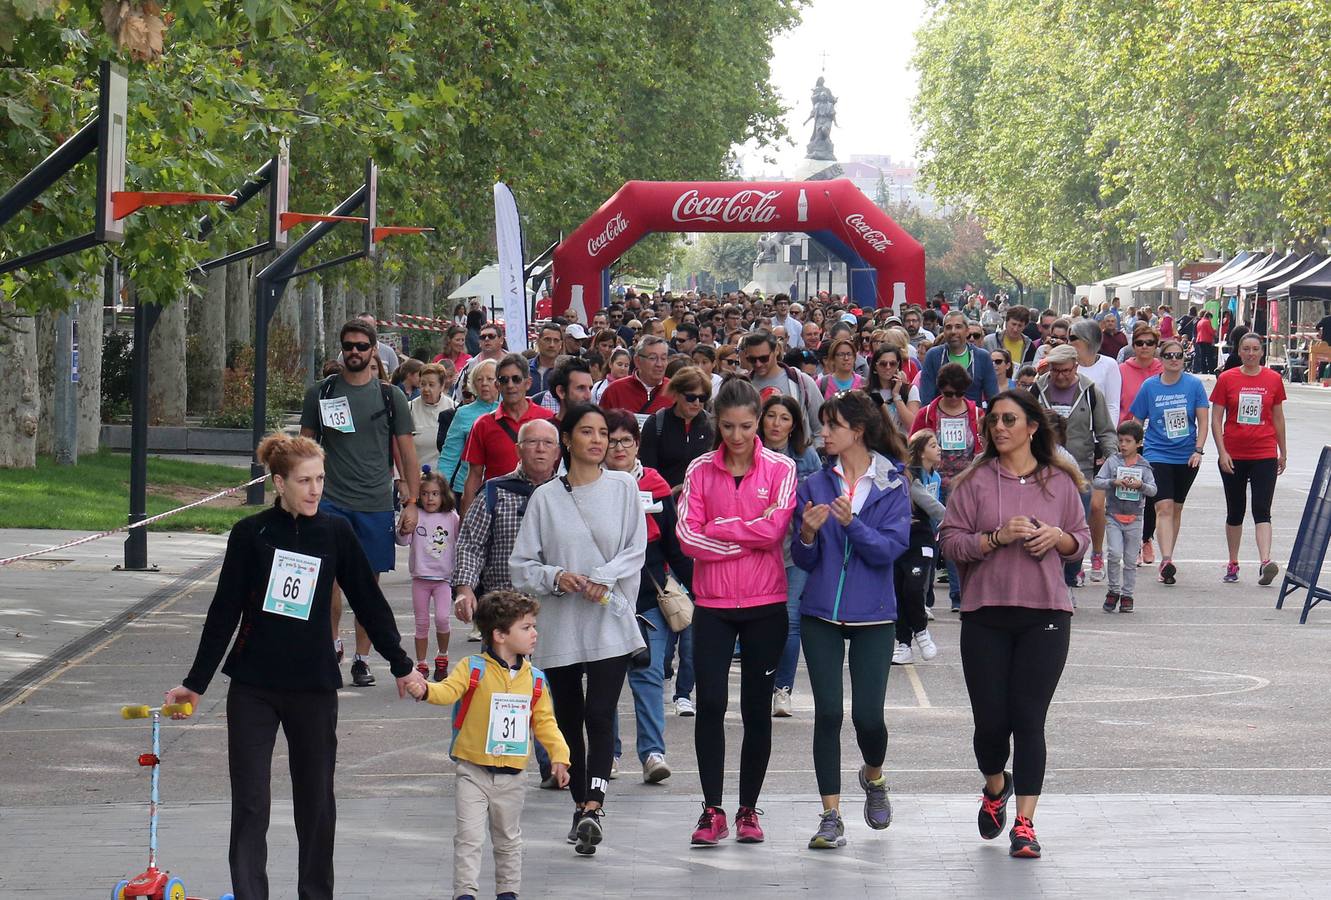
349, 415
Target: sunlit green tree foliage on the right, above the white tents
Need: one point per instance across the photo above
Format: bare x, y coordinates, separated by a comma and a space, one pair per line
1075, 127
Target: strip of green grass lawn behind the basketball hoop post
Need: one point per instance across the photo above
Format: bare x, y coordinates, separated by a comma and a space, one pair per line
91, 496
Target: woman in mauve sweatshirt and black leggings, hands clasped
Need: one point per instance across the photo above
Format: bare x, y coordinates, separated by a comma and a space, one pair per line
1014, 519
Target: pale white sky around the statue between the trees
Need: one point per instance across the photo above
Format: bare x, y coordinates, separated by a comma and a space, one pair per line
868, 46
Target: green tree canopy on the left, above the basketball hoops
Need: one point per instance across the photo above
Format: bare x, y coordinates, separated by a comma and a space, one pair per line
564, 99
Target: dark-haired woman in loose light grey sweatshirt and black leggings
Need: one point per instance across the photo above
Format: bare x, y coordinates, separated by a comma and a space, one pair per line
581, 552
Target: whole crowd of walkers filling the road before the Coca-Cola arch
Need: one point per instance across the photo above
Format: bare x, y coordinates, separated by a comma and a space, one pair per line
806, 475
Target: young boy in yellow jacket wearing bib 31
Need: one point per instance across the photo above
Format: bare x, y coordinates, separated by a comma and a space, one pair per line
501, 702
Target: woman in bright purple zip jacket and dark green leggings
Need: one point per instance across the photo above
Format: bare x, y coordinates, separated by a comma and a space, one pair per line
853, 523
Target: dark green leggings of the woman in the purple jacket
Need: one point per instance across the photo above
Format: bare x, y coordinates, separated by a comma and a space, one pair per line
871, 661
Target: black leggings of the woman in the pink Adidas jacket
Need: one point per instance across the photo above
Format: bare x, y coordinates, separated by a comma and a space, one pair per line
762, 634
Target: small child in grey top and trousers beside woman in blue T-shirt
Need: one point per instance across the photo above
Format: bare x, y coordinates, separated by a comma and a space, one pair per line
1127, 480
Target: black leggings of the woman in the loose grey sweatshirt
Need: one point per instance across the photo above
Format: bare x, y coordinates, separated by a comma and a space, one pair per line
594, 712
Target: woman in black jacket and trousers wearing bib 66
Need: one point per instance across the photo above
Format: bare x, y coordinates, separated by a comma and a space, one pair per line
276, 585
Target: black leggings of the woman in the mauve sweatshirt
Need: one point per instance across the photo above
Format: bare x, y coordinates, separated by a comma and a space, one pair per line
1012, 658
